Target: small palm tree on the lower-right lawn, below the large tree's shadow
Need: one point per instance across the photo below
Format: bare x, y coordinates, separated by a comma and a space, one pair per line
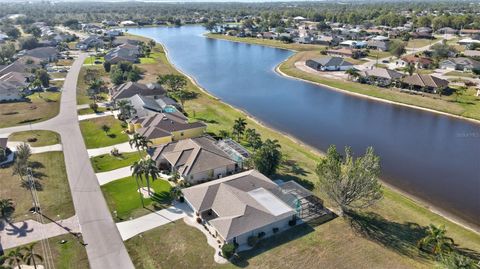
436, 241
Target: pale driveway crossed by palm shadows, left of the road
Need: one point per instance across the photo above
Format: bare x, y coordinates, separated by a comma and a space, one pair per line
25, 232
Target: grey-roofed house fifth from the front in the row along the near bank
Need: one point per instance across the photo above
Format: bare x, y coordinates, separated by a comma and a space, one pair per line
129, 89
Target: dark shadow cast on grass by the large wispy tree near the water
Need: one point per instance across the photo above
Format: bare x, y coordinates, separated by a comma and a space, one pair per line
399, 237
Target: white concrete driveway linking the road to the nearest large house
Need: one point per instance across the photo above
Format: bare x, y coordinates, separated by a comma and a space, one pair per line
131, 228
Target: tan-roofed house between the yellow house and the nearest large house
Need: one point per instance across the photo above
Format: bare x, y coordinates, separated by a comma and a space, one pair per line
196, 159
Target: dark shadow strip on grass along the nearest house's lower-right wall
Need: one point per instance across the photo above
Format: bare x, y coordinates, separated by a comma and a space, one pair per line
272, 242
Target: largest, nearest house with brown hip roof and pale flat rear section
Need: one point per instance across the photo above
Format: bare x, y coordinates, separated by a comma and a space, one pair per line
239, 206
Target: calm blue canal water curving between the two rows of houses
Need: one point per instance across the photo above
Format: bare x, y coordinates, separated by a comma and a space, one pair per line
433, 157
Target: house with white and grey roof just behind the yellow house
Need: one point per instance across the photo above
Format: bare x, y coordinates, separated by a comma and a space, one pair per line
149, 106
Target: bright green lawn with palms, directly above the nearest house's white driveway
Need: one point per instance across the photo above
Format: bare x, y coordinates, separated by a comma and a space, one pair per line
122, 196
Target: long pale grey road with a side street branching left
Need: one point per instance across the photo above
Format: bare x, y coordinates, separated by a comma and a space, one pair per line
105, 248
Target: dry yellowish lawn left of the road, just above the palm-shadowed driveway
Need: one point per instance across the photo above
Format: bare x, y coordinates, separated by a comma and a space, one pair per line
53, 191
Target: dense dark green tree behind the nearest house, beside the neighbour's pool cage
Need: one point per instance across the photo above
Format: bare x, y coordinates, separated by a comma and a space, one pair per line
268, 157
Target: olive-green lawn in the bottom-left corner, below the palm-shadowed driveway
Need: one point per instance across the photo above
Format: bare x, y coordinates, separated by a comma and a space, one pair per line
69, 255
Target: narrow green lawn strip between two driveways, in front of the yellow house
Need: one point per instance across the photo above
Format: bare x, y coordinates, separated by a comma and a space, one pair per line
107, 162
